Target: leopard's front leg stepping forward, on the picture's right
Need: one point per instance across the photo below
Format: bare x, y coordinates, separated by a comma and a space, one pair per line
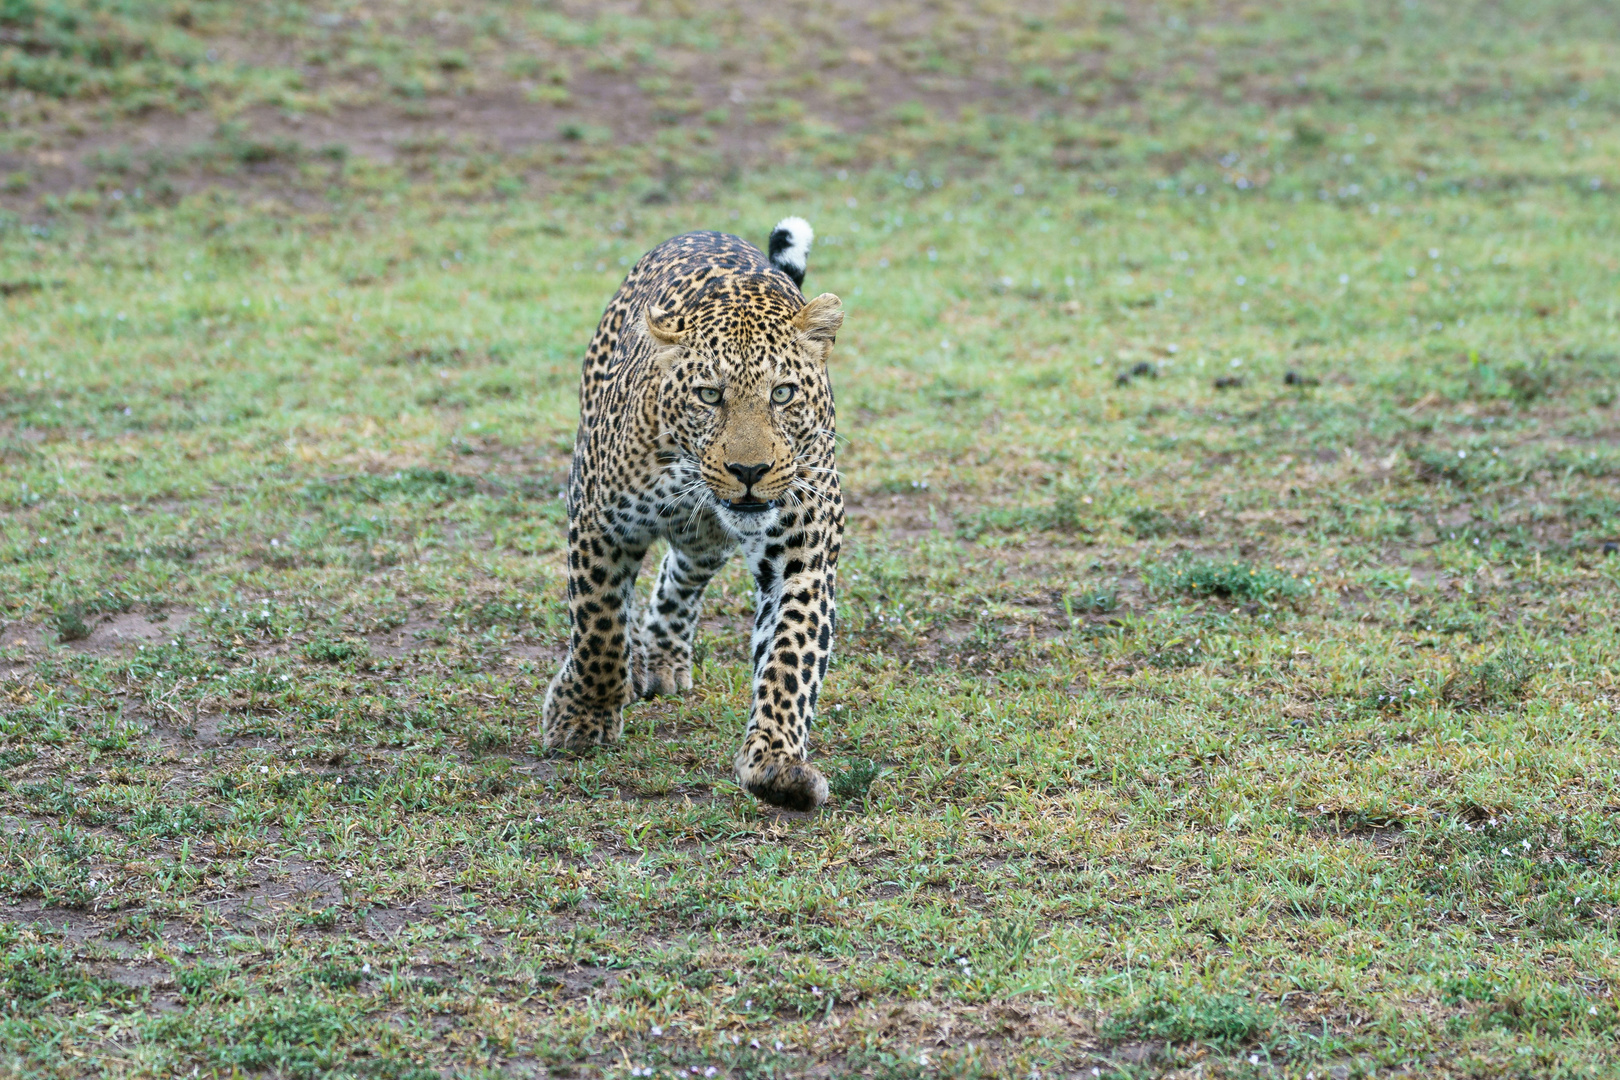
793, 640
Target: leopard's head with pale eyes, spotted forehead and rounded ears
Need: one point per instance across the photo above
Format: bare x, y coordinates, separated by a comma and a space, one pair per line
744, 396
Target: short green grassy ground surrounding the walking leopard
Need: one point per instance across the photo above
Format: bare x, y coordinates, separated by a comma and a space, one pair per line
1229, 665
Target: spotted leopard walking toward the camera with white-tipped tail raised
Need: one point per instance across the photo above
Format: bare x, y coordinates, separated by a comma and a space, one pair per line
707, 422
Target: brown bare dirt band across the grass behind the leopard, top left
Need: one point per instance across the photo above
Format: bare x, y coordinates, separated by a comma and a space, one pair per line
730, 101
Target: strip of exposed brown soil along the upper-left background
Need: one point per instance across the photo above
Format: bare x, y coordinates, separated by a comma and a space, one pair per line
848, 77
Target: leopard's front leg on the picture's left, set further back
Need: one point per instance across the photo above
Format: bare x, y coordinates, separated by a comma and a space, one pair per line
594, 684
